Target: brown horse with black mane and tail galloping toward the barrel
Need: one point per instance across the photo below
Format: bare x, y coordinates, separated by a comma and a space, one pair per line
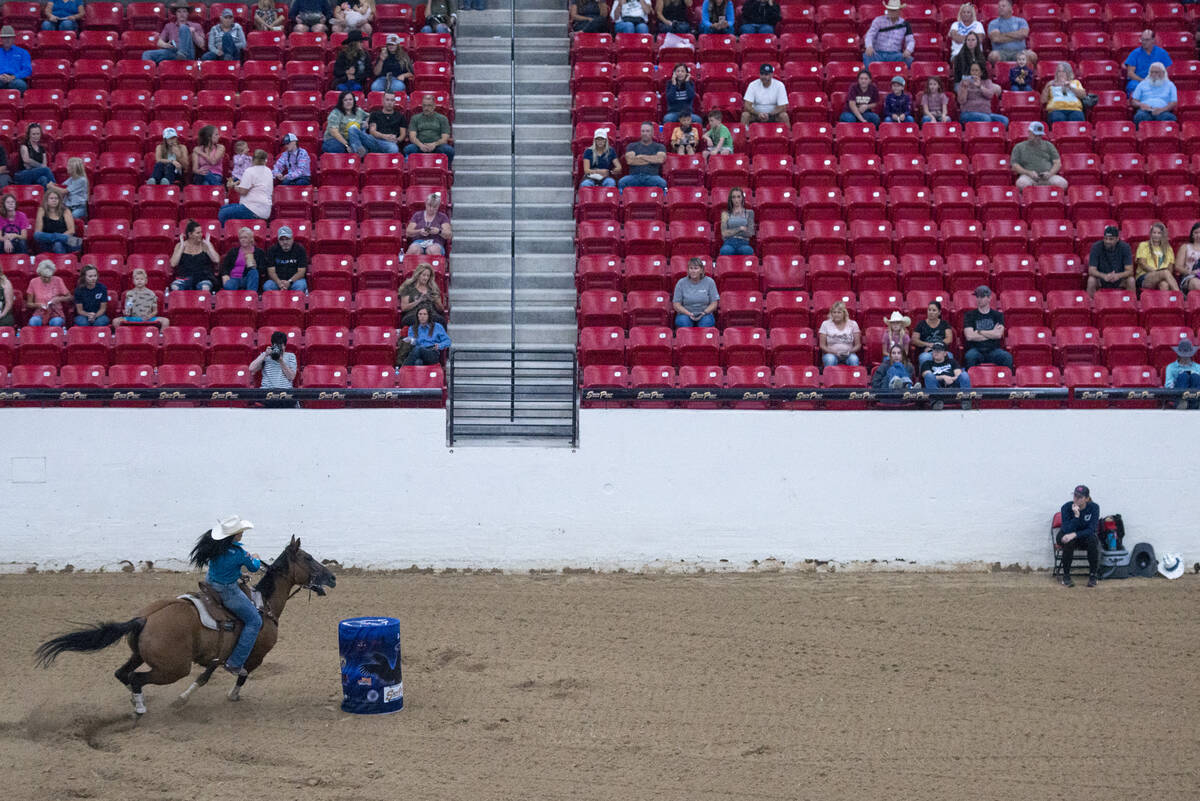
169, 639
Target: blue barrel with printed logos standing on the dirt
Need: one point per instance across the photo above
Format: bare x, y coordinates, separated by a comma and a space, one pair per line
371, 678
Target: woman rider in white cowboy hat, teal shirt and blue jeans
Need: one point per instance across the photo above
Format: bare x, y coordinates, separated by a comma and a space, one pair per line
220, 551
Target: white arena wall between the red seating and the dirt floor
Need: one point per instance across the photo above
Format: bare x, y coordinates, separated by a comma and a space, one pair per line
97, 489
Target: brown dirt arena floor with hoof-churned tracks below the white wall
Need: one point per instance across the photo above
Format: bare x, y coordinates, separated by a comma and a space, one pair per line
626, 688
